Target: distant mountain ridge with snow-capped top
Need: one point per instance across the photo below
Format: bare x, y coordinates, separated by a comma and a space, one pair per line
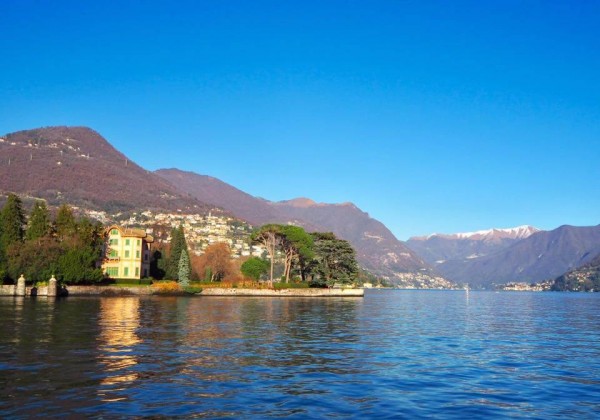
440, 248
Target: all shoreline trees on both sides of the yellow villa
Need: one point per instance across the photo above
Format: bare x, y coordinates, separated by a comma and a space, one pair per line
41, 246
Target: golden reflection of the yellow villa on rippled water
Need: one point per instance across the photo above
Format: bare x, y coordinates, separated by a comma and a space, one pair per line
118, 320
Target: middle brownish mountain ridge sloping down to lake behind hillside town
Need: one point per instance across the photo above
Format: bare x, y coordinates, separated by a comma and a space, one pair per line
377, 248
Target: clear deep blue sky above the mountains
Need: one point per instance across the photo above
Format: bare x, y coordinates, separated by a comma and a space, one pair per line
431, 116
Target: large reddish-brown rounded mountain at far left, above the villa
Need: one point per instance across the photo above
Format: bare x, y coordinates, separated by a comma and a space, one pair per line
78, 166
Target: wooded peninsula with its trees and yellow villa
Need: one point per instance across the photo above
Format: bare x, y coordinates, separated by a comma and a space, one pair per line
41, 244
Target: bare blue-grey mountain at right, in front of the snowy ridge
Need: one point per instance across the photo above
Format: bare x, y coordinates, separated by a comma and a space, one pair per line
540, 256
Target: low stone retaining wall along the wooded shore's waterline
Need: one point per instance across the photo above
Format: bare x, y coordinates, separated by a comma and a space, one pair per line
11, 290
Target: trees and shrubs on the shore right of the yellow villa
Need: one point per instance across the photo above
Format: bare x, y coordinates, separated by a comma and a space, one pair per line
318, 258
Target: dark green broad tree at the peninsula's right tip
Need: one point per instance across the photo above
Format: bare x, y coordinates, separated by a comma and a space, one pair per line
335, 260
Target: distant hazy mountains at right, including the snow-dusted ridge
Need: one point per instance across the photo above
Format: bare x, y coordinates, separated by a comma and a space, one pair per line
509, 255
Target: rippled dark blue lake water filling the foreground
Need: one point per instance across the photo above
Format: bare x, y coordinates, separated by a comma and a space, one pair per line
443, 354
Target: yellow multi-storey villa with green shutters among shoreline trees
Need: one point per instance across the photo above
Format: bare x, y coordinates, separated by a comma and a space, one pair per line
127, 253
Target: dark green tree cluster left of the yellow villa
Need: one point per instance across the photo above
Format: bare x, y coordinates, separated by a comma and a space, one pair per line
43, 246
